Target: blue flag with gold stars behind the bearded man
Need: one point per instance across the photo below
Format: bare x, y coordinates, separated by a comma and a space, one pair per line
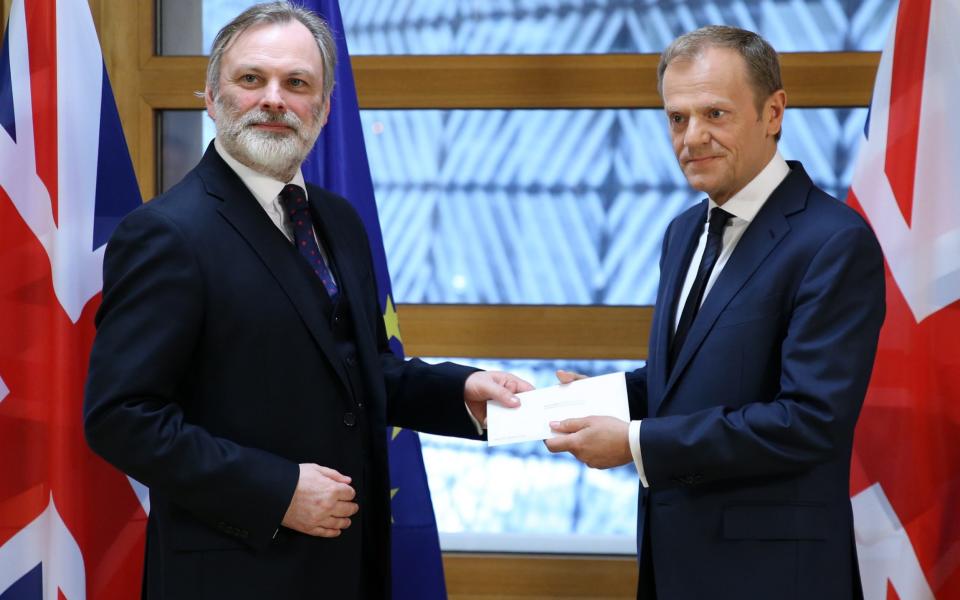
339, 163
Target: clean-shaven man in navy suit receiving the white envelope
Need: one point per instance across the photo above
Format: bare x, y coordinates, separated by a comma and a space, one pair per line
765, 329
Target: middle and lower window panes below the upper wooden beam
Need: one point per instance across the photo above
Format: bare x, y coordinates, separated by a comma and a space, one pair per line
534, 207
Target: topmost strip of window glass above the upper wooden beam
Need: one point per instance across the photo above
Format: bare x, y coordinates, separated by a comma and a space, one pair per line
556, 26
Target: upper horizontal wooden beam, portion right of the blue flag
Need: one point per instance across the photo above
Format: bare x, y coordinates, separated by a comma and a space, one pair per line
582, 81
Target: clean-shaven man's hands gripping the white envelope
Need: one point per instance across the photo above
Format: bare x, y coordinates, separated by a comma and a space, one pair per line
598, 442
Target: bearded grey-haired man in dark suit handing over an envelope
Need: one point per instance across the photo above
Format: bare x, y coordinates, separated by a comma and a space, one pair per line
241, 368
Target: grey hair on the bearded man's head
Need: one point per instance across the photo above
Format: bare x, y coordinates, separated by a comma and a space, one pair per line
275, 13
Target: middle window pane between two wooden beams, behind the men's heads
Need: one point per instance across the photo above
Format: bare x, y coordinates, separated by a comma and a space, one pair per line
533, 206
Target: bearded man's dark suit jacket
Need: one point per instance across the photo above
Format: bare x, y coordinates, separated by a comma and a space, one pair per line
215, 372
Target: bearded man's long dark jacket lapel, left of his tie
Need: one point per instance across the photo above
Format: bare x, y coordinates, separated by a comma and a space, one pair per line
242, 211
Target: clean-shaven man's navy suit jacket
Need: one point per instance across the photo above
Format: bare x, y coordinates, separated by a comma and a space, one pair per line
746, 444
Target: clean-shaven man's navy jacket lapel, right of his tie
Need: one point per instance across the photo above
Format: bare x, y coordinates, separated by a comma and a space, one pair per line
766, 231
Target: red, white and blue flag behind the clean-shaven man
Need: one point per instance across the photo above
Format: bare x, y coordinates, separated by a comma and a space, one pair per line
906, 468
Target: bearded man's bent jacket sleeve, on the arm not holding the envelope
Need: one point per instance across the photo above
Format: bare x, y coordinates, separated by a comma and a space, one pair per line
147, 329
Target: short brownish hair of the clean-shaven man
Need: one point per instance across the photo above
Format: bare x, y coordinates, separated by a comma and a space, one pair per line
763, 64
